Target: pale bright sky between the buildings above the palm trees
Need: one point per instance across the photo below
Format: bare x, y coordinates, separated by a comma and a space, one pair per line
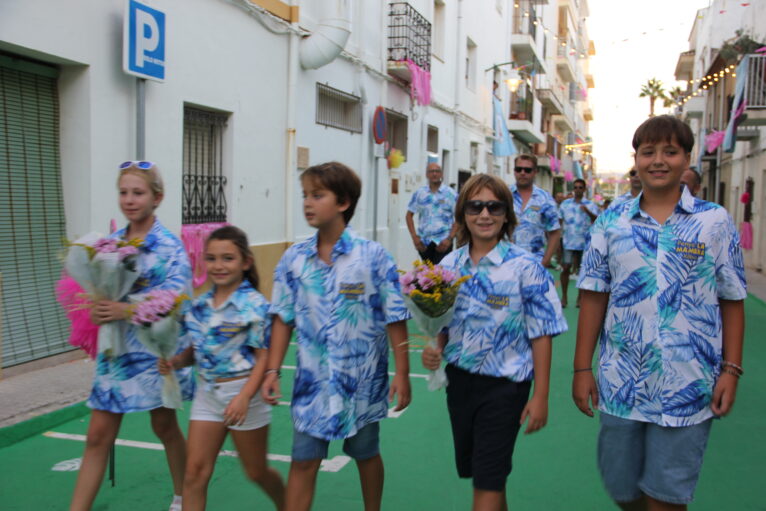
635, 41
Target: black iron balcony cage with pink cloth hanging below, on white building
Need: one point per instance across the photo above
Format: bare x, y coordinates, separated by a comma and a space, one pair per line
409, 35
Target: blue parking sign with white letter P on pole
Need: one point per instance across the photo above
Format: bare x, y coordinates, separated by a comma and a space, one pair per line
144, 42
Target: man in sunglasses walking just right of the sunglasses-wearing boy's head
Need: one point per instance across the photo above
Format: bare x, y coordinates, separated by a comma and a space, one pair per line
538, 230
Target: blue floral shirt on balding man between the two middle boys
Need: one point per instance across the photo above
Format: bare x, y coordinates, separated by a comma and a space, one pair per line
435, 212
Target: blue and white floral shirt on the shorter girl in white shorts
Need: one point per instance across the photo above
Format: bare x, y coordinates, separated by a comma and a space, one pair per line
225, 337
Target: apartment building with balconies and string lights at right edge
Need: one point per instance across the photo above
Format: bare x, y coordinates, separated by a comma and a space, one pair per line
725, 104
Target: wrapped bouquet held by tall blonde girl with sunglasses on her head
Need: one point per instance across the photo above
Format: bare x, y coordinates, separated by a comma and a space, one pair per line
106, 270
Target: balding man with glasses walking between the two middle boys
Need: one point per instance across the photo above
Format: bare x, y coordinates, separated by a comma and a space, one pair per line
434, 204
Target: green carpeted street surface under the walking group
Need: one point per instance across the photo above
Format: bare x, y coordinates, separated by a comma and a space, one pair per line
554, 469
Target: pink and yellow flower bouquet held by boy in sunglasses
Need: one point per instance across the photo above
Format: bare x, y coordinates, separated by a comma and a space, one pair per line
430, 292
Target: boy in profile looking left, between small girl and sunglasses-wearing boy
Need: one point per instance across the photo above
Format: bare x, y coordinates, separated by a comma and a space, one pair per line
341, 294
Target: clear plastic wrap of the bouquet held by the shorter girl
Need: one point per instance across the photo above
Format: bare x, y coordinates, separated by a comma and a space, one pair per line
161, 339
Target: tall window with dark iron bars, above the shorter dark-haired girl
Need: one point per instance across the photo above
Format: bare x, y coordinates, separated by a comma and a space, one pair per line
204, 185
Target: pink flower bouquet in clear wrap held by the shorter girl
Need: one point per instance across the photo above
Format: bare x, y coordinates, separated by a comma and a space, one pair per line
156, 317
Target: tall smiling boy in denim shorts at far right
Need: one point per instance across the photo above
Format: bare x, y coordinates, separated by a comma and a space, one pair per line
663, 288
